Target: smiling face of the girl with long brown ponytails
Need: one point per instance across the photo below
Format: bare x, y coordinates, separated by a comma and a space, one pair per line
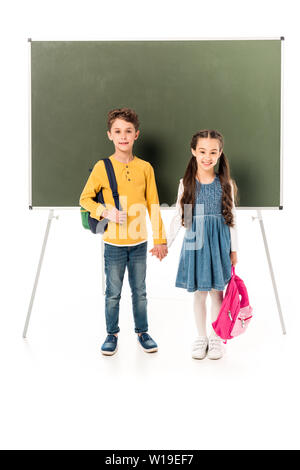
207, 153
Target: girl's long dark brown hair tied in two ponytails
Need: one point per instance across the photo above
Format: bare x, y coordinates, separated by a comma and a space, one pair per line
189, 179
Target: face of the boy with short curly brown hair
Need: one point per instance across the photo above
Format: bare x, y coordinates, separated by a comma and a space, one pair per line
123, 135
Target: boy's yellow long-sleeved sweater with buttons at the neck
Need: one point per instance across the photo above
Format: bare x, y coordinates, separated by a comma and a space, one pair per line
137, 191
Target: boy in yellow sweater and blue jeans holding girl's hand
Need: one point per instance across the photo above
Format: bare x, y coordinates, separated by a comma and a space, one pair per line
126, 235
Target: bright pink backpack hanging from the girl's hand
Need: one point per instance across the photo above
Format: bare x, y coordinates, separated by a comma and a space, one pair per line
235, 313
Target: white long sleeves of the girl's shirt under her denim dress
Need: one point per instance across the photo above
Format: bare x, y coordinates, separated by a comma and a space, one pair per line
176, 224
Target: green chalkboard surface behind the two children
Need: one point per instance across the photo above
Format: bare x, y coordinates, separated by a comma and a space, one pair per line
177, 88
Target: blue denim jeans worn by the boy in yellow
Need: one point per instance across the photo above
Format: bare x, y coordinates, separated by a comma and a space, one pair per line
116, 259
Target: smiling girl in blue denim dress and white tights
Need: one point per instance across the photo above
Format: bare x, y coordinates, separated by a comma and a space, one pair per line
205, 207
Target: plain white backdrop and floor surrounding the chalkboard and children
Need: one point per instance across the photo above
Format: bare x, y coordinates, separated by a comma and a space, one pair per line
57, 391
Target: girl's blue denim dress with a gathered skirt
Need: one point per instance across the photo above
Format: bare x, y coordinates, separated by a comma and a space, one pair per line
204, 262
